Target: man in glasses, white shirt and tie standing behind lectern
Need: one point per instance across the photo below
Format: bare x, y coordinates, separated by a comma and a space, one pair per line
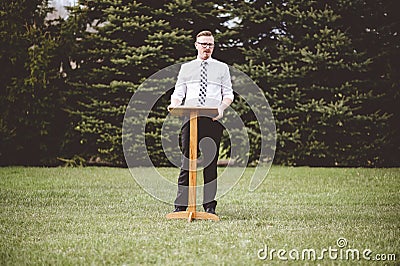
204, 81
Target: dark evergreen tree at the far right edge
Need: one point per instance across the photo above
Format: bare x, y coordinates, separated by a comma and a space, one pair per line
373, 28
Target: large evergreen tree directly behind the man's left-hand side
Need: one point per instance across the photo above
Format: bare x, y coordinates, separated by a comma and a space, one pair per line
120, 44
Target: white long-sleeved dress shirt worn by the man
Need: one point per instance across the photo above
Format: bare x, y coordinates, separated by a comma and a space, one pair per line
219, 85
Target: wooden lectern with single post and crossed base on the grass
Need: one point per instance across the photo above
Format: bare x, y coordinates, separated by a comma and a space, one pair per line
193, 113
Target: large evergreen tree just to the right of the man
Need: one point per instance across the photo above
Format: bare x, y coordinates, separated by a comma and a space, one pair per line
313, 77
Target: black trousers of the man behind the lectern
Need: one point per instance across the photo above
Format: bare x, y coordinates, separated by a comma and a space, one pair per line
209, 132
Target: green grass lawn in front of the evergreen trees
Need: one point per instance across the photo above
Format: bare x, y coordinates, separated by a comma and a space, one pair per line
101, 216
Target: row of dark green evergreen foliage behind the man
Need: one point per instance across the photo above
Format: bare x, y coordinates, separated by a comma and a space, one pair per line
330, 71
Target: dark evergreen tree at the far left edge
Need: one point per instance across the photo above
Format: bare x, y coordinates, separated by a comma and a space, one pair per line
30, 99
